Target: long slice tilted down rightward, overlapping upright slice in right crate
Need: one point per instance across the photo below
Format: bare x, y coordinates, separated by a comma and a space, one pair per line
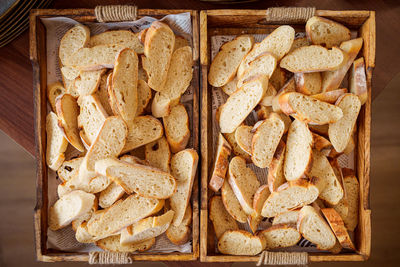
309, 109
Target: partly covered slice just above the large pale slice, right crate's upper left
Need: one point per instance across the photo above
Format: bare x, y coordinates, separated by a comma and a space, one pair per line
264, 64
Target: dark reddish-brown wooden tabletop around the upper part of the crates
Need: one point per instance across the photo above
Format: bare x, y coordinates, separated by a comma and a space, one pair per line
16, 101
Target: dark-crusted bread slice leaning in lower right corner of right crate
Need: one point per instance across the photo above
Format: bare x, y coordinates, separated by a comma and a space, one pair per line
337, 225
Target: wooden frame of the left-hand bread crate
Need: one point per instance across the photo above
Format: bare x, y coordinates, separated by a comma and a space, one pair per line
38, 58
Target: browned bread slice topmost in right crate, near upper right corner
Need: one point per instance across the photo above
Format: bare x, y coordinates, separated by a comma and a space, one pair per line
326, 32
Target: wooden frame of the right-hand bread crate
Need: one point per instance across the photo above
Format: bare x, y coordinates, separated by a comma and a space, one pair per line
233, 22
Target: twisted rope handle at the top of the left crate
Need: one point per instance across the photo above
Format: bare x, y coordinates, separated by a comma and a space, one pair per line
115, 13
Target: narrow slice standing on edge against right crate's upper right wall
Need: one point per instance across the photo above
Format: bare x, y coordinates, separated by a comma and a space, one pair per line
358, 80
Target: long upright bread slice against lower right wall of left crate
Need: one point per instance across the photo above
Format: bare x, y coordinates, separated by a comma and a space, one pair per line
183, 166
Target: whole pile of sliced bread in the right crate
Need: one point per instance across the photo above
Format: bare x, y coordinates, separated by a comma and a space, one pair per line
305, 122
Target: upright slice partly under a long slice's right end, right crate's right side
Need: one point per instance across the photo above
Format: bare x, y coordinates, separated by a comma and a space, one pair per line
340, 132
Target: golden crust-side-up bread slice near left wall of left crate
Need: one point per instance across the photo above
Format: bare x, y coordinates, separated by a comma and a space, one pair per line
67, 112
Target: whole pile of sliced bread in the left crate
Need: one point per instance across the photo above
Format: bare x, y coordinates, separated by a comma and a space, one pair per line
103, 111
